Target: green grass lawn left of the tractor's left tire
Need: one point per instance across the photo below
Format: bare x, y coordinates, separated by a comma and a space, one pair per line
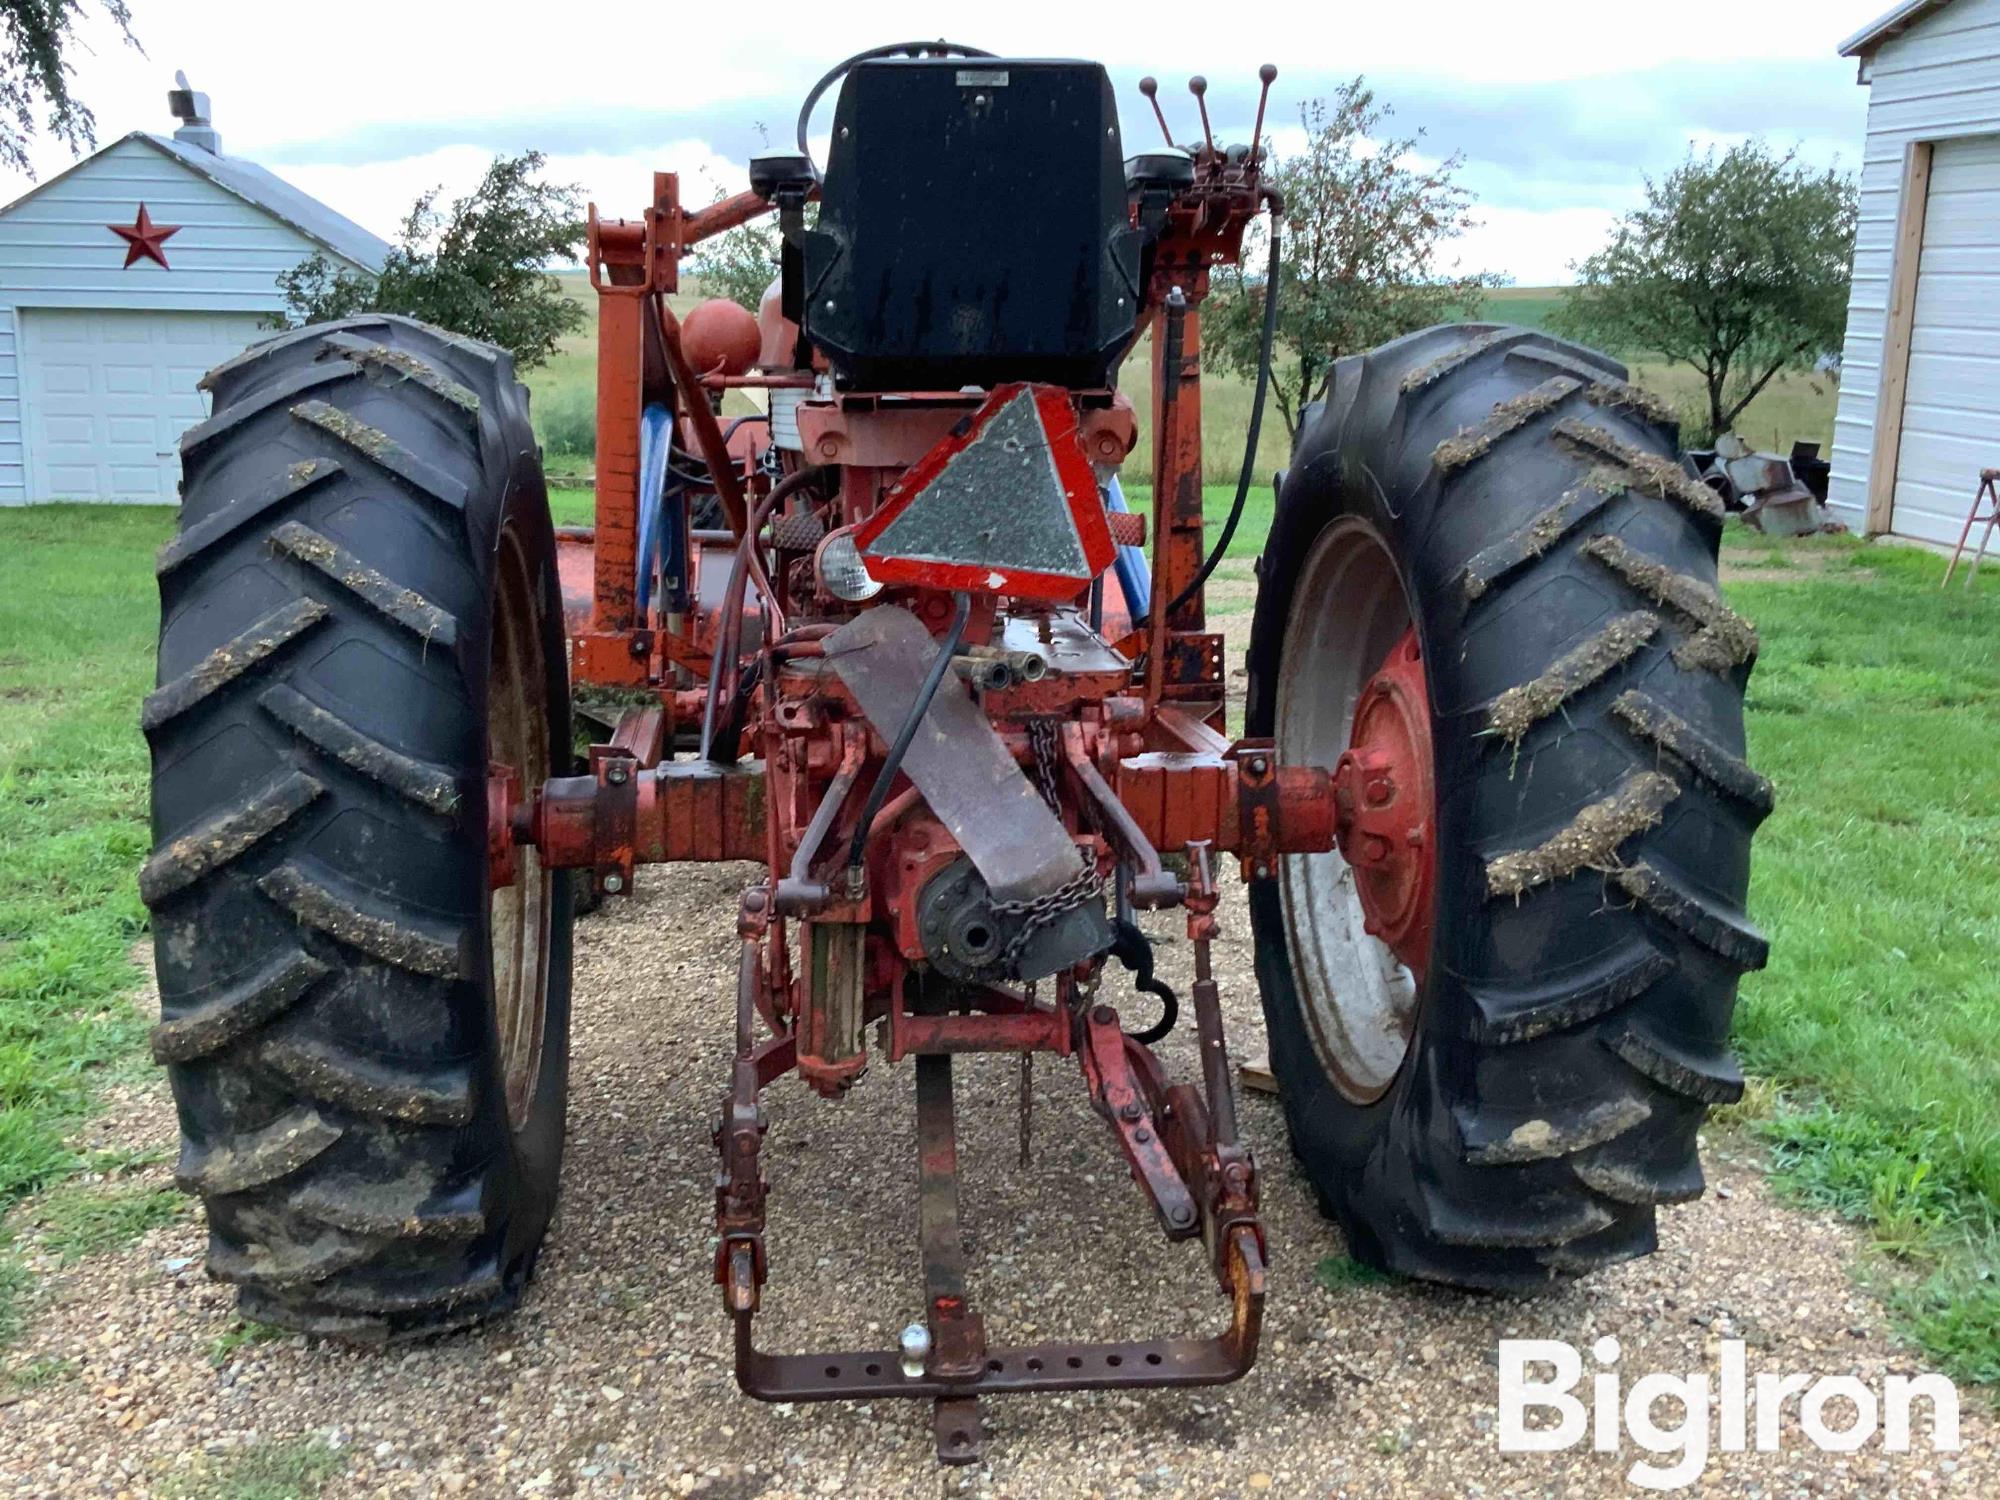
77, 633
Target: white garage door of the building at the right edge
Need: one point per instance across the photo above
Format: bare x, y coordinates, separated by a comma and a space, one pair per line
1951, 421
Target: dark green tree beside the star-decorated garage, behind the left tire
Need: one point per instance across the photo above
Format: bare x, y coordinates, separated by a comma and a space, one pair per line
475, 267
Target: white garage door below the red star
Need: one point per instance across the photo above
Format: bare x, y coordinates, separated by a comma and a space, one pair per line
111, 393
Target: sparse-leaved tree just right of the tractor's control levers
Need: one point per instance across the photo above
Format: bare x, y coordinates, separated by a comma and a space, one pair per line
1367, 229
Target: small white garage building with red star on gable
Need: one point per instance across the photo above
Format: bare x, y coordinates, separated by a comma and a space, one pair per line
121, 283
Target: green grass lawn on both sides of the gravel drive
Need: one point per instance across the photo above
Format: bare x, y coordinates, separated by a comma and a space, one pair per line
1875, 707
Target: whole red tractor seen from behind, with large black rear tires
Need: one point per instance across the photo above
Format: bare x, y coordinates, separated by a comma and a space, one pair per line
895, 639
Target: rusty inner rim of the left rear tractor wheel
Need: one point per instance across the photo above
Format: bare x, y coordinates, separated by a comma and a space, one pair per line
519, 729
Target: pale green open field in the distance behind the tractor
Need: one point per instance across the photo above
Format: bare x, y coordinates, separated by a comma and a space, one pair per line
1793, 409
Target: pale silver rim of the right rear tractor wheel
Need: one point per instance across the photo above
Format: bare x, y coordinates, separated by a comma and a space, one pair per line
1347, 623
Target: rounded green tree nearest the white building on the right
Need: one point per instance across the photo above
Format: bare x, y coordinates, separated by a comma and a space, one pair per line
1737, 267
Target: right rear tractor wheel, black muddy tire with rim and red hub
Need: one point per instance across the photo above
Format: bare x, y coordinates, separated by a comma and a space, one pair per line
1499, 1033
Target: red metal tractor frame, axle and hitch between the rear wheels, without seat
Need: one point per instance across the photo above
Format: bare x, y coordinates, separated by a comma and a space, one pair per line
1143, 773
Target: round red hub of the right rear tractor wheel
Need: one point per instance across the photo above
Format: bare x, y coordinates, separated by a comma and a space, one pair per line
1389, 807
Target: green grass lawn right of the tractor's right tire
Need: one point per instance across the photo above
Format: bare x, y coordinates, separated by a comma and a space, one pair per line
1877, 711
